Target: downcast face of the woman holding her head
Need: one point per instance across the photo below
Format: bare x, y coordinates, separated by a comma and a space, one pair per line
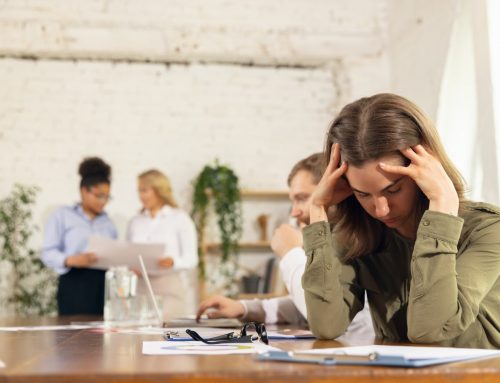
389, 198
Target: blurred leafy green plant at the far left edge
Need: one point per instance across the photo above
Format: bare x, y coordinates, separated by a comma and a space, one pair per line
27, 287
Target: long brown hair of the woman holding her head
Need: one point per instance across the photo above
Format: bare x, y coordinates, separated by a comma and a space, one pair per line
366, 130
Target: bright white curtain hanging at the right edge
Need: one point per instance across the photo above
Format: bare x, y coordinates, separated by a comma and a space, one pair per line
465, 113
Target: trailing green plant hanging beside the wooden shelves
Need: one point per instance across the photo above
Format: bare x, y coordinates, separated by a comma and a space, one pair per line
217, 187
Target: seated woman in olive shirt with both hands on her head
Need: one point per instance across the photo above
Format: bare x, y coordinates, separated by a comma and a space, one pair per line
428, 258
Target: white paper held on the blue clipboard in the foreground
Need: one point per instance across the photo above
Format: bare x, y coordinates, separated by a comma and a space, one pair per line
410, 352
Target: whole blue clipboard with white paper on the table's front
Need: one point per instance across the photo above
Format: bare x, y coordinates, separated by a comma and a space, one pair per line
389, 356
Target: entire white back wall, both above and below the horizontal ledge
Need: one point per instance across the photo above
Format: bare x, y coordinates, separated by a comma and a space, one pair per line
167, 84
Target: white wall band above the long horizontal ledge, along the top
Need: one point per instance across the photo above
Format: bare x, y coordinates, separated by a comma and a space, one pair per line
297, 32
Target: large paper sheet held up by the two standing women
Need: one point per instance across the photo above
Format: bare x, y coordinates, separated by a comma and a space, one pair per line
112, 252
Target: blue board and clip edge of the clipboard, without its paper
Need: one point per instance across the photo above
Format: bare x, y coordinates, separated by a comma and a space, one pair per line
372, 359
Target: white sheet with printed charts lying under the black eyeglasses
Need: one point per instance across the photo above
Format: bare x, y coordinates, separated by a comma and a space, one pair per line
200, 348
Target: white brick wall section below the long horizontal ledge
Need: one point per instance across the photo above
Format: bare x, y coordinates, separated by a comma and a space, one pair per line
137, 116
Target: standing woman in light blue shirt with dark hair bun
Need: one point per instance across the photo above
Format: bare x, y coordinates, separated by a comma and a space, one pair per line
81, 289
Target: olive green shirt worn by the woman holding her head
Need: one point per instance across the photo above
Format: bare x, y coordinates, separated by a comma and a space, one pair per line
442, 288
